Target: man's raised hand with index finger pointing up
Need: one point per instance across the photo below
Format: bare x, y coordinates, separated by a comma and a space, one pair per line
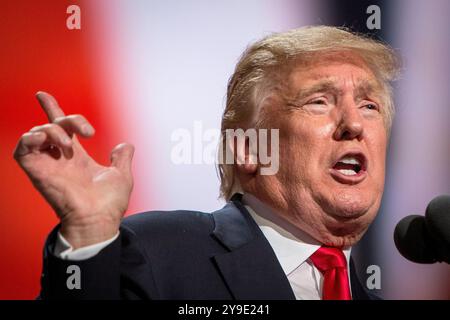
89, 199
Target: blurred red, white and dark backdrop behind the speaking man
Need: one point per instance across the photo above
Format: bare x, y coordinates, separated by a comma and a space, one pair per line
141, 70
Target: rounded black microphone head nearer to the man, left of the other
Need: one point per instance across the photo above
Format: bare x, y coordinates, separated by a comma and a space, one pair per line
411, 240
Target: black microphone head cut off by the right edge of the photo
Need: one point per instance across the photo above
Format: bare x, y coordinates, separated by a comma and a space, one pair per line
437, 219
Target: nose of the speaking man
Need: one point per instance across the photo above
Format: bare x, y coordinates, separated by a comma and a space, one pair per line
350, 124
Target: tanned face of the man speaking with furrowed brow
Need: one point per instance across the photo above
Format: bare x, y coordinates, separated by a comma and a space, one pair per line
332, 149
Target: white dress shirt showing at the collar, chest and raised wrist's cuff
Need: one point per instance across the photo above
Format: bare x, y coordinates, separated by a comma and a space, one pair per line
292, 248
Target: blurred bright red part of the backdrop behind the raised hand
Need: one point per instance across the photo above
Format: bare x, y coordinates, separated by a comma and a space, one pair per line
38, 52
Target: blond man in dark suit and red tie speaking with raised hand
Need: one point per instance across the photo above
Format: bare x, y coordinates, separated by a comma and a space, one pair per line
287, 235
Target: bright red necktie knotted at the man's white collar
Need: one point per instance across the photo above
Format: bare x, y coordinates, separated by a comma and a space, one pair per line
332, 264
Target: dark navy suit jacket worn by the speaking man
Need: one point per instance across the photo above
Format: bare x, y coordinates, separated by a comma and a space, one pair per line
179, 255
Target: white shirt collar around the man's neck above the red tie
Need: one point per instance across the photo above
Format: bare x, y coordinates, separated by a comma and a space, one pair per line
291, 245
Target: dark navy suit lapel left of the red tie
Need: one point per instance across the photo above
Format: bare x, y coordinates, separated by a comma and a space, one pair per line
250, 267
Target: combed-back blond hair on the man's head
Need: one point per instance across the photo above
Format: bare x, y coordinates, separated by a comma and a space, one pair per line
267, 57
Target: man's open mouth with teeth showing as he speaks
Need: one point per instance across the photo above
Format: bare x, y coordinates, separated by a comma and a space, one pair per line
350, 168
